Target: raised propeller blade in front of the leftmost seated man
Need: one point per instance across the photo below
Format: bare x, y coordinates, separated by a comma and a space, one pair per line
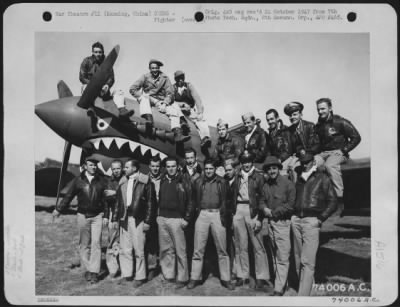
98, 80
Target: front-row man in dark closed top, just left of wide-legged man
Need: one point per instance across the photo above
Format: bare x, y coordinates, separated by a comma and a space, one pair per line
175, 212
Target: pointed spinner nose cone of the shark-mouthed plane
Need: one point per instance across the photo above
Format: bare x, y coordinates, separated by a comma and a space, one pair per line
64, 117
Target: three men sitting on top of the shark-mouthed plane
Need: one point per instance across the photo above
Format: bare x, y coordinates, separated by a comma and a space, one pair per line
153, 89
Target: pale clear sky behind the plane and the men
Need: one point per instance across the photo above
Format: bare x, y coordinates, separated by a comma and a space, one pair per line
234, 73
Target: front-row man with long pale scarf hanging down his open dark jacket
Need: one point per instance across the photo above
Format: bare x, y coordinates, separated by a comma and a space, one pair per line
134, 212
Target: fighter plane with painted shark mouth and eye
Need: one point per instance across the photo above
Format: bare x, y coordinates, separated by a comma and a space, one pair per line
92, 124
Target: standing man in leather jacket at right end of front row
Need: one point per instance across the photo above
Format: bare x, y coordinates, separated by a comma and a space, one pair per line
315, 201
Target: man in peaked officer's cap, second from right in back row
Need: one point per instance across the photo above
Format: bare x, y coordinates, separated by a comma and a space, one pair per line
304, 137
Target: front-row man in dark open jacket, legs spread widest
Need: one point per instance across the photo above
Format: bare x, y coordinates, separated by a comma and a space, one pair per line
210, 193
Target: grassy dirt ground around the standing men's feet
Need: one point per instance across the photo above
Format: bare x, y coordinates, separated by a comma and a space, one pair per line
343, 262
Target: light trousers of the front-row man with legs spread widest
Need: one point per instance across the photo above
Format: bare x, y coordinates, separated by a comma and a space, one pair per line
210, 220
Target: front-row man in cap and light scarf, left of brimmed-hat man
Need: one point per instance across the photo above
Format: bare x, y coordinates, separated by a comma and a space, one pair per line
248, 203
